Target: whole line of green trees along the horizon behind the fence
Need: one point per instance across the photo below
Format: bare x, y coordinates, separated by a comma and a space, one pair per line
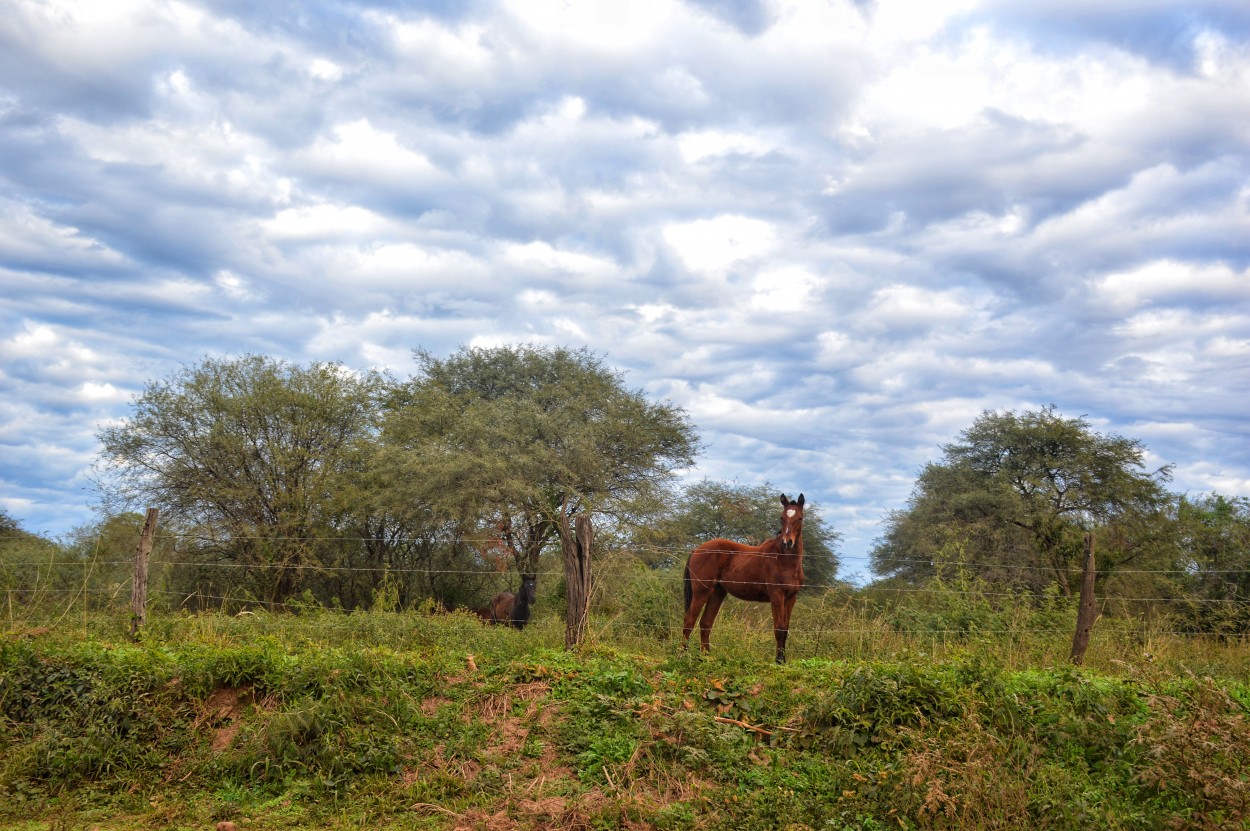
279, 482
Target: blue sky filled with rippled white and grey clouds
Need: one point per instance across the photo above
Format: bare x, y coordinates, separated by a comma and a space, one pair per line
833, 232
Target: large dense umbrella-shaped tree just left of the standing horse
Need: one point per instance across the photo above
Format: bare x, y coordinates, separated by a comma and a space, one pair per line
514, 442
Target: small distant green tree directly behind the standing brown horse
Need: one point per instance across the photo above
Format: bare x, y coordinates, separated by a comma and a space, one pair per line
747, 514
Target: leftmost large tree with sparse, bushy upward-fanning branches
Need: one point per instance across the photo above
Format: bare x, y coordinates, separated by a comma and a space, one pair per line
253, 454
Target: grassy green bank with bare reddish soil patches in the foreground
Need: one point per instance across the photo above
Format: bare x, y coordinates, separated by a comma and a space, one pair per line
416, 722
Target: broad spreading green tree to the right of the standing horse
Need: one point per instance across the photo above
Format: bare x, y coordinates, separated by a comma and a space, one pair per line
1018, 492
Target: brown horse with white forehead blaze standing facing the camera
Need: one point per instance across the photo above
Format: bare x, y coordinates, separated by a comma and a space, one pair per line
772, 573
